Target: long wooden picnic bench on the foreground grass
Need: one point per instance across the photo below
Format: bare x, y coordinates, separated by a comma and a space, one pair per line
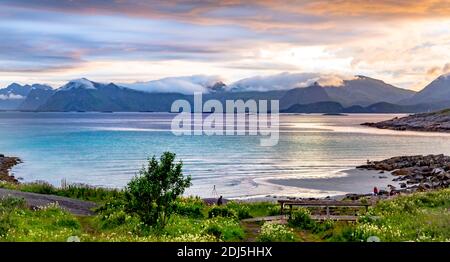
324, 204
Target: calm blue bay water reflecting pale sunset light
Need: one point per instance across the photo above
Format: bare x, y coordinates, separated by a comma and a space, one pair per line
107, 149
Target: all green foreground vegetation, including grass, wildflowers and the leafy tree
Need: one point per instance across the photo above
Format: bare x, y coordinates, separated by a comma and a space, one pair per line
121, 215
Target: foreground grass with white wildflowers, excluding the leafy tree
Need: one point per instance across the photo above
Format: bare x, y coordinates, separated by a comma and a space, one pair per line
416, 217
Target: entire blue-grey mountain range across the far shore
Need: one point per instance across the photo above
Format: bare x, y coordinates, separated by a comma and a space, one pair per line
360, 94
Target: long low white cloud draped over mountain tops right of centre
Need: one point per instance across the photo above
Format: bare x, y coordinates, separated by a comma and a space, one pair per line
285, 81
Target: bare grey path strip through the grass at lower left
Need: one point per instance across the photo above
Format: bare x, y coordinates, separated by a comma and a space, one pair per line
74, 206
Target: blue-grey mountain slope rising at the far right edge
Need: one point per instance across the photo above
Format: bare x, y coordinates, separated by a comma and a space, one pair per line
437, 92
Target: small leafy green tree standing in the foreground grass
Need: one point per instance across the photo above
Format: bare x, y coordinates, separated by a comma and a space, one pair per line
152, 194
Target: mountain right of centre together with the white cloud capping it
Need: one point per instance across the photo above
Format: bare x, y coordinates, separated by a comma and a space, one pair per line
359, 90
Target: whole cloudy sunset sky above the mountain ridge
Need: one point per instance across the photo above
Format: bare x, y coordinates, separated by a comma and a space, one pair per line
404, 43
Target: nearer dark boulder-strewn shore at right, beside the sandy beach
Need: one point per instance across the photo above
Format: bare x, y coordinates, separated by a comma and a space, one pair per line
416, 173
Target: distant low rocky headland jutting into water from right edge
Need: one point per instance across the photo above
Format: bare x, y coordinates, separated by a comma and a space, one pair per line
430, 122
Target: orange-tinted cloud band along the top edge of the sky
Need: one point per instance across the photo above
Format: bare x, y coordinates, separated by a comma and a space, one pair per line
261, 14
